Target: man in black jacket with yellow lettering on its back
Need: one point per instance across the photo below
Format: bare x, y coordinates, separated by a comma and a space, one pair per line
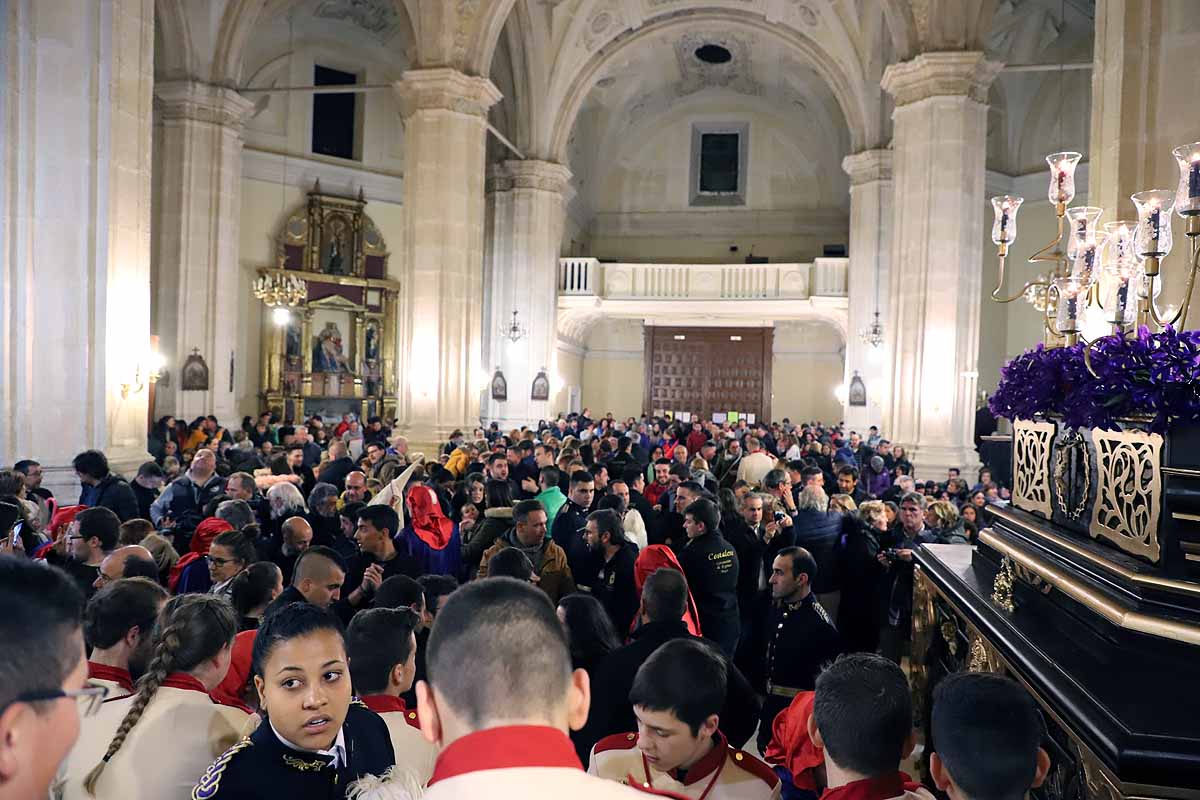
711, 567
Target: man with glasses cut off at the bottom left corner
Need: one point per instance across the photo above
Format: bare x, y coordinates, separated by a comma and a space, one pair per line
43, 673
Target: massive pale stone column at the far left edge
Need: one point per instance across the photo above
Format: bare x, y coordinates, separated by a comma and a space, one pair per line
76, 82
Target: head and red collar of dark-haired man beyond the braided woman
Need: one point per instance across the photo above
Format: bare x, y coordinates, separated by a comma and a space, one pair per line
118, 624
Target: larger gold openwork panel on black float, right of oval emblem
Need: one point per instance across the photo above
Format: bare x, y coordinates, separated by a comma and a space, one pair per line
1130, 491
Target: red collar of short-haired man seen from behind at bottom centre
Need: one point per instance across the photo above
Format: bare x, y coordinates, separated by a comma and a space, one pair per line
507, 748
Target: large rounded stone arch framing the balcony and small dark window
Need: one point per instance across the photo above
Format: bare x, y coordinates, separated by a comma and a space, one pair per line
847, 89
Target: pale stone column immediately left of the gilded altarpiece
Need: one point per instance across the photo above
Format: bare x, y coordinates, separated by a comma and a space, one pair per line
196, 243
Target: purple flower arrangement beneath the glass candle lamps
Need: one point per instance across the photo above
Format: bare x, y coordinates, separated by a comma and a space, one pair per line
1153, 376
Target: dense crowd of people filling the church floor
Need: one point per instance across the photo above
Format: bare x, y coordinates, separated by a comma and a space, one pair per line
591, 606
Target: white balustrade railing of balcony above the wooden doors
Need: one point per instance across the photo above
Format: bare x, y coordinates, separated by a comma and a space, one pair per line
587, 278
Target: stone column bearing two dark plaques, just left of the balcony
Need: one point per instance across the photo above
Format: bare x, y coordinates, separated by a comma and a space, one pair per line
526, 216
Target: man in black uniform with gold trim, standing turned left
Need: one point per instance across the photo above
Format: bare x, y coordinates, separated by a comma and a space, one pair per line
793, 640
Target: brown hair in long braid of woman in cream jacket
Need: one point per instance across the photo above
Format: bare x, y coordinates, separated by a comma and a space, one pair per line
190, 630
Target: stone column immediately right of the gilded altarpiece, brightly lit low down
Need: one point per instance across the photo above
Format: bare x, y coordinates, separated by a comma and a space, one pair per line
442, 302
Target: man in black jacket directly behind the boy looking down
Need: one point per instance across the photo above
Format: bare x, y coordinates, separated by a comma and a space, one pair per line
664, 604
